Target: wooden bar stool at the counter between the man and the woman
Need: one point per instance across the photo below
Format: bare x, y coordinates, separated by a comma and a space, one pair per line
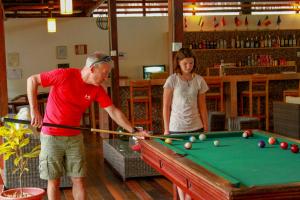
140, 95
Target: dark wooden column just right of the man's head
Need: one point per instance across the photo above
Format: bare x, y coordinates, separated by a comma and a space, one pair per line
113, 47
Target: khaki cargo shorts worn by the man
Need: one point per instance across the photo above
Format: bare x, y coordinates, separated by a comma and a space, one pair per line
61, 155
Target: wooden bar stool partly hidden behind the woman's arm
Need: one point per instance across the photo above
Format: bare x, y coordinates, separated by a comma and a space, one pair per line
215, 94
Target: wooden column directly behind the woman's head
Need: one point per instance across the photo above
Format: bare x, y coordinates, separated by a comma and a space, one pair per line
175, 13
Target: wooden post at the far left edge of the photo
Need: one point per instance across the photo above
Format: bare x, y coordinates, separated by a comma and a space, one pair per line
3, 79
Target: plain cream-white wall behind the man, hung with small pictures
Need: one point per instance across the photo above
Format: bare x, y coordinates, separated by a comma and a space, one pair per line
143, 40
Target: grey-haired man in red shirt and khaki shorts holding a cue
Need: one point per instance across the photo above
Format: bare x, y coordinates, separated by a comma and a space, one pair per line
72, 92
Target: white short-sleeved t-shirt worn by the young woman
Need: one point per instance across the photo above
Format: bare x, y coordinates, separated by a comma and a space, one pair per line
185, 114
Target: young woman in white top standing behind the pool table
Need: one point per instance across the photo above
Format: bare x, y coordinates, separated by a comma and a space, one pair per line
184, 104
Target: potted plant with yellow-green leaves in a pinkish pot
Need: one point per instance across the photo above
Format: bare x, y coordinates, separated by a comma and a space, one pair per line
15, 138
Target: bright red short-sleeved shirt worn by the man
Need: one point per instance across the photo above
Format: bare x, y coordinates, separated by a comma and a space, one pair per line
68, 99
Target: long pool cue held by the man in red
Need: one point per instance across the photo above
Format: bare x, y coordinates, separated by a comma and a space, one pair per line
4, 119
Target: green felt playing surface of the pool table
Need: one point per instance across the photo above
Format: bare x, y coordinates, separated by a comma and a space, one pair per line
241, 161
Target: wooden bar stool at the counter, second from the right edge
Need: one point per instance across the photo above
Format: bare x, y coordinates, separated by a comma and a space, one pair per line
258, 89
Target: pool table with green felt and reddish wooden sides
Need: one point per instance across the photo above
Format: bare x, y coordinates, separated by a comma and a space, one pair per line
236, 169
